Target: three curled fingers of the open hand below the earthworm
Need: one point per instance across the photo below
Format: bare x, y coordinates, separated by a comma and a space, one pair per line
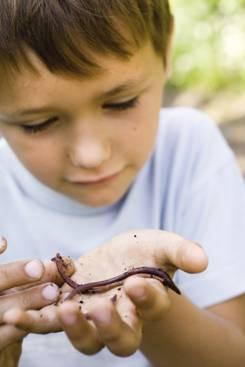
118, 326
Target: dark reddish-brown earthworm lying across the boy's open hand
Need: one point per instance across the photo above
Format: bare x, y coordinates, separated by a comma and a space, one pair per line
94, 287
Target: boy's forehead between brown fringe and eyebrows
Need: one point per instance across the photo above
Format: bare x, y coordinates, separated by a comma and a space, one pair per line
27, 88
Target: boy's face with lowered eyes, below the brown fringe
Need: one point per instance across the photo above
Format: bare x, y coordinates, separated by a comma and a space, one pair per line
86, 138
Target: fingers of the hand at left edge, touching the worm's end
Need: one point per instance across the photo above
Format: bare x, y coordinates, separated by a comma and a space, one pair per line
24, 285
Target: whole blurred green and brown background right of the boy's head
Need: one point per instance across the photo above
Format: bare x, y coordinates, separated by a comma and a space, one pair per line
208, 64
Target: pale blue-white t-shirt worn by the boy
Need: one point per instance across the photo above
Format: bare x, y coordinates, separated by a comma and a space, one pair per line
190, 185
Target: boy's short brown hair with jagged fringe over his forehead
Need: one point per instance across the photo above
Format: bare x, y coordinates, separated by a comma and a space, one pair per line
67, 34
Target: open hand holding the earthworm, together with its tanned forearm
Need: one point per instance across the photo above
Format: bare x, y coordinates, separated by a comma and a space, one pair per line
168, 328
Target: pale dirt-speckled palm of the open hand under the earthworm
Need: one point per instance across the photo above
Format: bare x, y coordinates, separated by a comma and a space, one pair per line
120, 254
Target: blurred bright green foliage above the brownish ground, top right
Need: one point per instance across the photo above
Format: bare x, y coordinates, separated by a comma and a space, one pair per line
209, 48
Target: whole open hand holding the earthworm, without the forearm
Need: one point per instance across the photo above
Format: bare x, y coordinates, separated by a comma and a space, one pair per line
116, 318
